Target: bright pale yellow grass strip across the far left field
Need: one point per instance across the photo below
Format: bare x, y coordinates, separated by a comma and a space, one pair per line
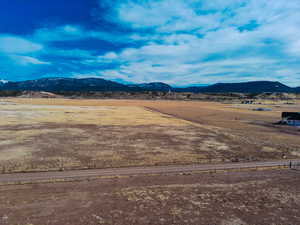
97, 115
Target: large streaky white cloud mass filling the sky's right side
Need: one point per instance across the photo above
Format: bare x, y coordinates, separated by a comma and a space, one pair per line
184, 36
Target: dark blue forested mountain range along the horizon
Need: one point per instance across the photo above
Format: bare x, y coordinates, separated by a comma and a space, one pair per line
101, 85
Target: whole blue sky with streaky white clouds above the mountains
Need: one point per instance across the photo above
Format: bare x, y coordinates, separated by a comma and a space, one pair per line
179, 42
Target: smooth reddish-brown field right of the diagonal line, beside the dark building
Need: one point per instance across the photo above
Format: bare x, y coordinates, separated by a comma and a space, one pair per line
245, 127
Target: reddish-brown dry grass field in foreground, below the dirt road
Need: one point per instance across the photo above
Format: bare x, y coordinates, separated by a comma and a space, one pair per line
235, 198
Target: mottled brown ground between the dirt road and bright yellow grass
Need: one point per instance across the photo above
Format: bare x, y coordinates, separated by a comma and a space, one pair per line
64, 146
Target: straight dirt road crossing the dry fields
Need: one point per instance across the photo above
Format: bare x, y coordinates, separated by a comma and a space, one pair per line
20, 178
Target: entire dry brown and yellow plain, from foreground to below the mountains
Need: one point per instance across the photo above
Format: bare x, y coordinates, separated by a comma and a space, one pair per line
68, 134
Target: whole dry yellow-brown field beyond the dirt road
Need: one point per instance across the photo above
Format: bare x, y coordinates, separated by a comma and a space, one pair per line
58, 134
